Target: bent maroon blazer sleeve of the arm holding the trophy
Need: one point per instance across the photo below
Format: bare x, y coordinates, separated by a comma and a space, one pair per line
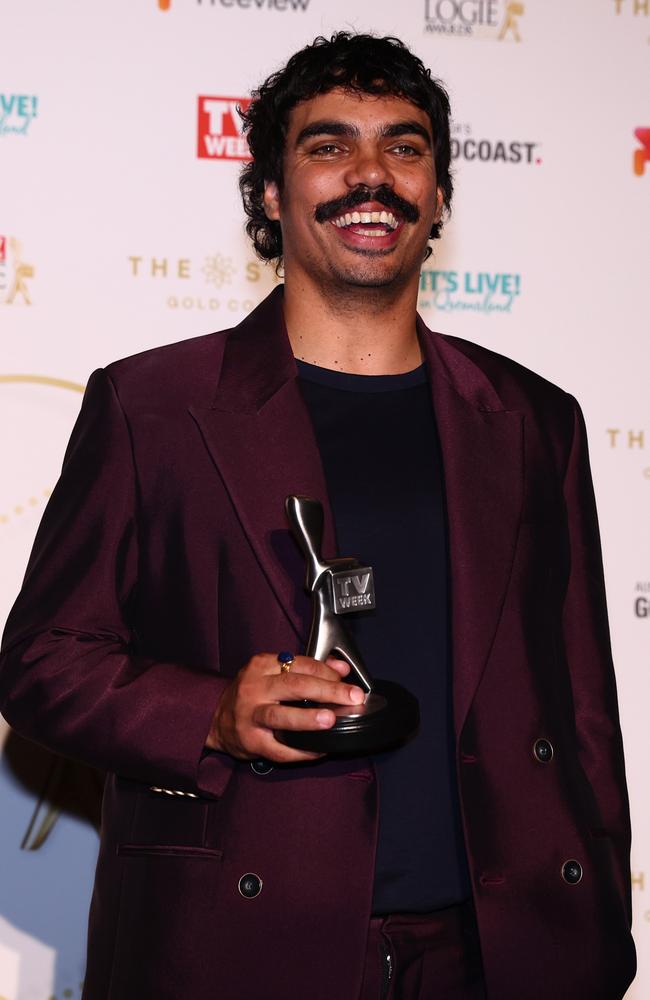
69, 678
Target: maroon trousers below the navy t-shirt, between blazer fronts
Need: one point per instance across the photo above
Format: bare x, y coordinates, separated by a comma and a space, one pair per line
429, 956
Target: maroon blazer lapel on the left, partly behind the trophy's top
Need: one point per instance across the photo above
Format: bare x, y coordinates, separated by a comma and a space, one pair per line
261, 440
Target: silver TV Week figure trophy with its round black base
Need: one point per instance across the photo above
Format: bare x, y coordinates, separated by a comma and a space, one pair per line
390, 713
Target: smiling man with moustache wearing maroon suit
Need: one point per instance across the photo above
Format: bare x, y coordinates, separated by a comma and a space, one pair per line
489, 855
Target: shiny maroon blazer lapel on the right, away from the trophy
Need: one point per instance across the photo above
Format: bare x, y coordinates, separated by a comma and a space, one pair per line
482, 452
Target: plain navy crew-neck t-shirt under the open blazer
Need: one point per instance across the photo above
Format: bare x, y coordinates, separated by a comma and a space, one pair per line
379, 447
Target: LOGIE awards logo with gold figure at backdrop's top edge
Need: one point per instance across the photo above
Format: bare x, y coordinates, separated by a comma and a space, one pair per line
498, 20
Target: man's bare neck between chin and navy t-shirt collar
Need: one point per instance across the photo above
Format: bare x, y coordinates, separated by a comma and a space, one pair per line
365, 331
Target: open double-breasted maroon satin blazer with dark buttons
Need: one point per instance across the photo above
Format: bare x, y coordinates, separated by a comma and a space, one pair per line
164, 562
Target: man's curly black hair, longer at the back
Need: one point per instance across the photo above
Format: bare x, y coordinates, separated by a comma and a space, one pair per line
363, 64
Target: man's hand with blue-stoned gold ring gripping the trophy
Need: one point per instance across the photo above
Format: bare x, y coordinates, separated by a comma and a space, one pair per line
250, 708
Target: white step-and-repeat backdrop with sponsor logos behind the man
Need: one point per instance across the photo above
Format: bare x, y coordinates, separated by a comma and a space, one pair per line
121, 229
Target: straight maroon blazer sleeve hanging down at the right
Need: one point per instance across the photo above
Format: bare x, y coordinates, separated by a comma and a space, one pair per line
587, 643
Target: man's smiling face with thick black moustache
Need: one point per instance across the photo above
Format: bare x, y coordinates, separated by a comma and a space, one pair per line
359, 192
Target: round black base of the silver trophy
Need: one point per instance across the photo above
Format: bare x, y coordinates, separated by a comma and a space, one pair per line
389, 716
